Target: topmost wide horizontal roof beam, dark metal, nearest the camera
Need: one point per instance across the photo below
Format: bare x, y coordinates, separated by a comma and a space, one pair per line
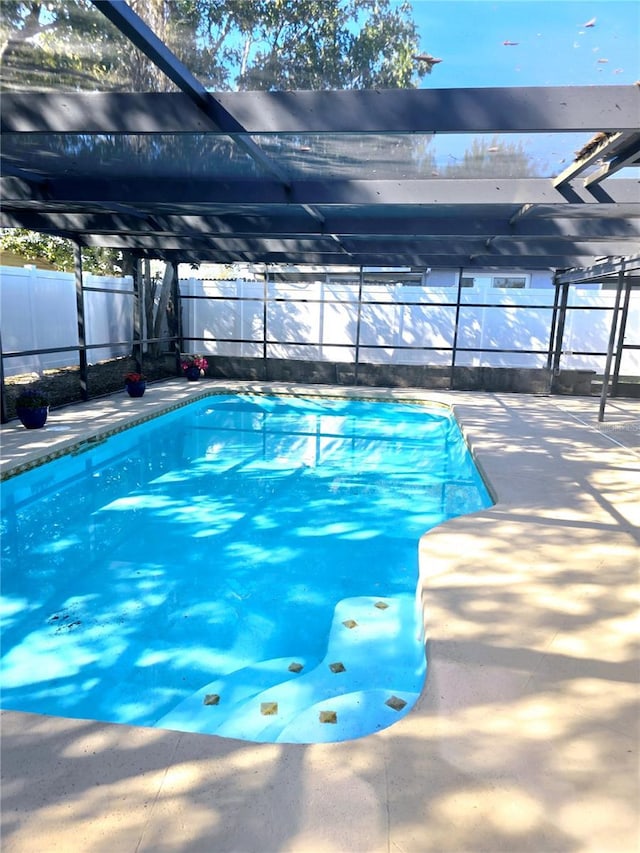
491, 110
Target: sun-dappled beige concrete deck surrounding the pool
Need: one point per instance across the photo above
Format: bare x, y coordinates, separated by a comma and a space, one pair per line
526, 735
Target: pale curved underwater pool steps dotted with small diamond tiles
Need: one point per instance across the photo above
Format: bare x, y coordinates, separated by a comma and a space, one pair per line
371, 675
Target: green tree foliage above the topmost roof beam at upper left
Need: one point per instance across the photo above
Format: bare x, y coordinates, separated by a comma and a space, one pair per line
245, 44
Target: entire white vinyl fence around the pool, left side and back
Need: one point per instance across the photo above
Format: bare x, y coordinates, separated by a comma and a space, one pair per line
319, 320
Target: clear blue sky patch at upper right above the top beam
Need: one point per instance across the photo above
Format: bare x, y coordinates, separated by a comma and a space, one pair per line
553, 45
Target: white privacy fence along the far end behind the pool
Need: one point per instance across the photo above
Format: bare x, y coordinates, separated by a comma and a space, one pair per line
319, 321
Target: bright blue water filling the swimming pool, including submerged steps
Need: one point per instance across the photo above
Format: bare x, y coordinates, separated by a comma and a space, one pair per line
245, 565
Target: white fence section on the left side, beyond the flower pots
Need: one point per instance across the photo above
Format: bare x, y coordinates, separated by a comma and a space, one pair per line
38, 311
